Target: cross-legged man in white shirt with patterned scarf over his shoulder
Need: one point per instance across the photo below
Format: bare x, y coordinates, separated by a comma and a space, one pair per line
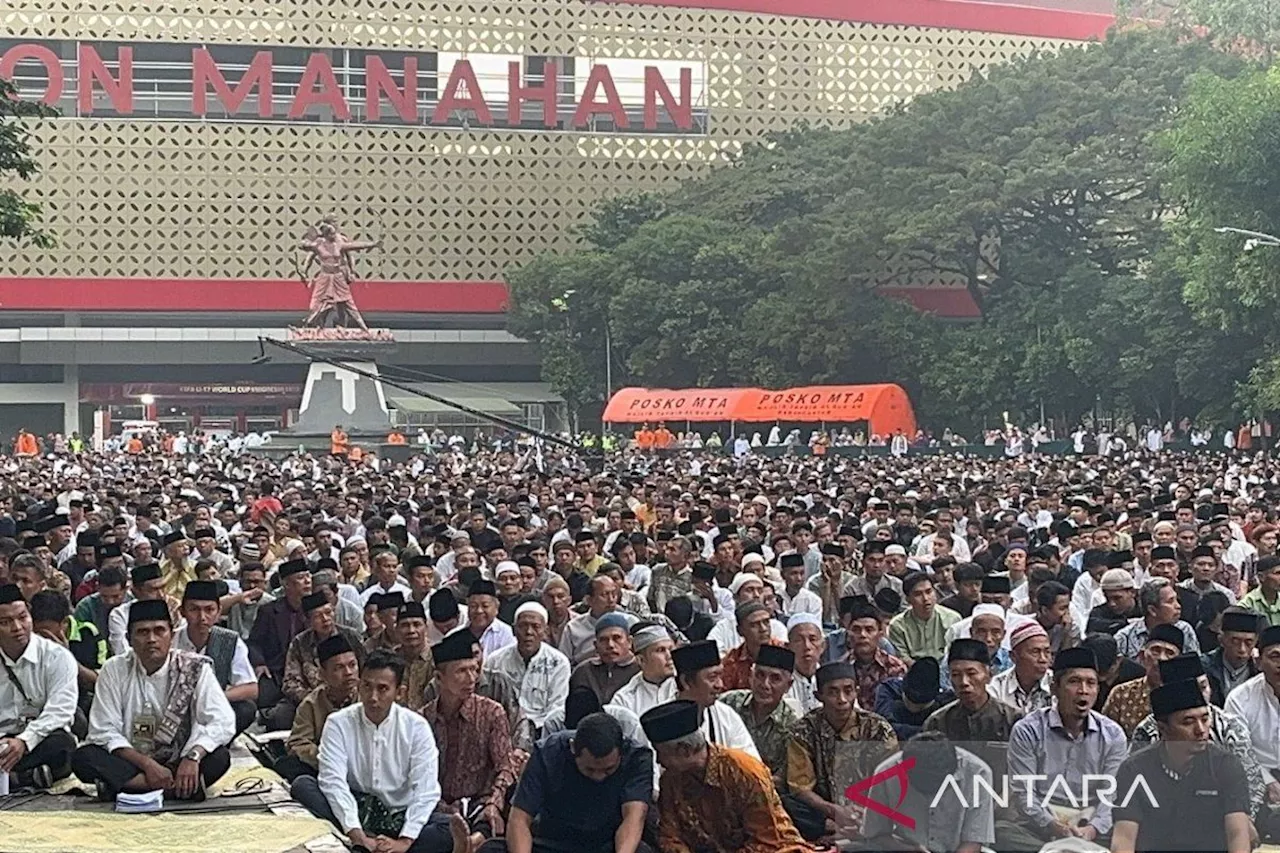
159, 720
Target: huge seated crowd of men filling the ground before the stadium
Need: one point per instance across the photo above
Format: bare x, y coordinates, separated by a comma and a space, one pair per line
684, 650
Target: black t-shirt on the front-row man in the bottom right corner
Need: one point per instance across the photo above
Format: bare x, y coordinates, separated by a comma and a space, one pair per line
1188, 814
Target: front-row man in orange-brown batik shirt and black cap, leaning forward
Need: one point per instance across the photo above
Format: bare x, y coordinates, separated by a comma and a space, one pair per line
714, 800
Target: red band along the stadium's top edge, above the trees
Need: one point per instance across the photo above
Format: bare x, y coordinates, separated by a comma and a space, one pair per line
945, 15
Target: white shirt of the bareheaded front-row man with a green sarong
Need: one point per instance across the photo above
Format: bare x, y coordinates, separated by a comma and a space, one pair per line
396, 761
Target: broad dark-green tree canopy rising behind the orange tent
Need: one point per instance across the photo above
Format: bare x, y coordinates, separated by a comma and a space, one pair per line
1041, 188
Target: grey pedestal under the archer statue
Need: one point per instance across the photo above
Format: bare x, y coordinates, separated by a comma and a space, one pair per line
336, 395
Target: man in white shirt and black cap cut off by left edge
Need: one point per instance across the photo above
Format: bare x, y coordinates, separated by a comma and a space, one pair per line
38, 699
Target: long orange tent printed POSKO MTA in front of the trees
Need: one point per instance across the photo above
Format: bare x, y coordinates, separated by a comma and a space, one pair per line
885, 408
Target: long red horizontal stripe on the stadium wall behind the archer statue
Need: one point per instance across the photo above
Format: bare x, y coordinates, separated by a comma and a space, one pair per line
241, 295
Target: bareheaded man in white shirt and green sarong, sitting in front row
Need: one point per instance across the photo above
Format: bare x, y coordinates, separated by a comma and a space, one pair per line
380, 759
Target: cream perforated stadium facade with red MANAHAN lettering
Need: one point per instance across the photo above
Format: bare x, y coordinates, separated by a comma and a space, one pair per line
196, 143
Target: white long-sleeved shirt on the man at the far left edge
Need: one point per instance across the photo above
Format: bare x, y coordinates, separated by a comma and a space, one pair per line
48, 676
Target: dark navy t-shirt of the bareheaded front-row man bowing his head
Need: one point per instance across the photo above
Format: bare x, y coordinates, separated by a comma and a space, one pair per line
569, 808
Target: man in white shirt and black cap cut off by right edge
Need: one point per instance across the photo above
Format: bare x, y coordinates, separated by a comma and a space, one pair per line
1256, 704
